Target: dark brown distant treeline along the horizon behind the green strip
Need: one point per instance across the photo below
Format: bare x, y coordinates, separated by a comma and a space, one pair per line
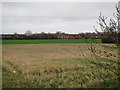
55, 36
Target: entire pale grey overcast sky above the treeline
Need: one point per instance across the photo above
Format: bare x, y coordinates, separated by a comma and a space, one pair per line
68, 17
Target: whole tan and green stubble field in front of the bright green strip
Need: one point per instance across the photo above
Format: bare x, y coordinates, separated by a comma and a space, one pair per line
65, 65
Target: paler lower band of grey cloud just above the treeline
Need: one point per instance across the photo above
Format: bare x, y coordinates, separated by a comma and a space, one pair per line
36, 24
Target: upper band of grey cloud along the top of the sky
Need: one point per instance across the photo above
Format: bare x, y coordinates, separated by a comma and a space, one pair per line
57, 9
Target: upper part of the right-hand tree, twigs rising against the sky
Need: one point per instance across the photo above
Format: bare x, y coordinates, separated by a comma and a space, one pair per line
109, 30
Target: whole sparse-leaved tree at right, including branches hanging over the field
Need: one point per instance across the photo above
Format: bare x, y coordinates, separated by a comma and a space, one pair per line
110, 31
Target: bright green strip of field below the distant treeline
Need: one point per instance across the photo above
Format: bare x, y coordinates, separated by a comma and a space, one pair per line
51, 41
